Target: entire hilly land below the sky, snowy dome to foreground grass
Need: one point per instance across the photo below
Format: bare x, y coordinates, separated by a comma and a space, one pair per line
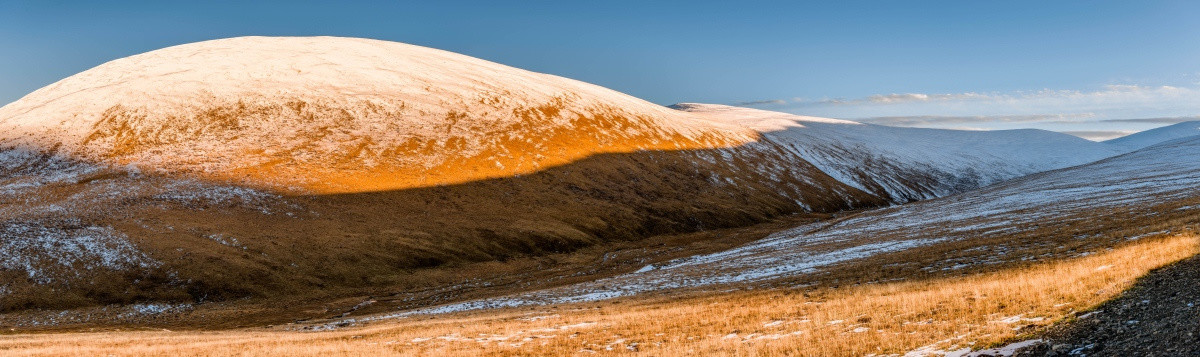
317, 196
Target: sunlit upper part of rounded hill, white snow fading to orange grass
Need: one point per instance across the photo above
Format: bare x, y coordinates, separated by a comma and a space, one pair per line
337, 114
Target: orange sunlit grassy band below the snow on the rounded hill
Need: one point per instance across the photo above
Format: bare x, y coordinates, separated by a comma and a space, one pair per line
506, 142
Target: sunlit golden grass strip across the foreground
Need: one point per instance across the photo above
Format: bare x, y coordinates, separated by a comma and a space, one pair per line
980, 310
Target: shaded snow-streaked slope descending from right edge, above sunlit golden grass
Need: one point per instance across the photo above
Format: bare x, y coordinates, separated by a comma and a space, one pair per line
1148, 185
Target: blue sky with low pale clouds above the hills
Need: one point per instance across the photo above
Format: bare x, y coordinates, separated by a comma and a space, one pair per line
1096, 69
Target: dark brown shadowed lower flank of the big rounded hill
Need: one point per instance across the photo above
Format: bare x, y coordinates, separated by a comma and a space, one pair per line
343, 245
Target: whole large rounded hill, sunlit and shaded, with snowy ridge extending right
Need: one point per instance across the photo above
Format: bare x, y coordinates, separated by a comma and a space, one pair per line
321, 167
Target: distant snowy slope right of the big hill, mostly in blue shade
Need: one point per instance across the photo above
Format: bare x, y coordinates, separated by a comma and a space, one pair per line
904, 165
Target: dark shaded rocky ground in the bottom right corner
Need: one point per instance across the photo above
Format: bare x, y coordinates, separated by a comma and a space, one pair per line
1159, 317
